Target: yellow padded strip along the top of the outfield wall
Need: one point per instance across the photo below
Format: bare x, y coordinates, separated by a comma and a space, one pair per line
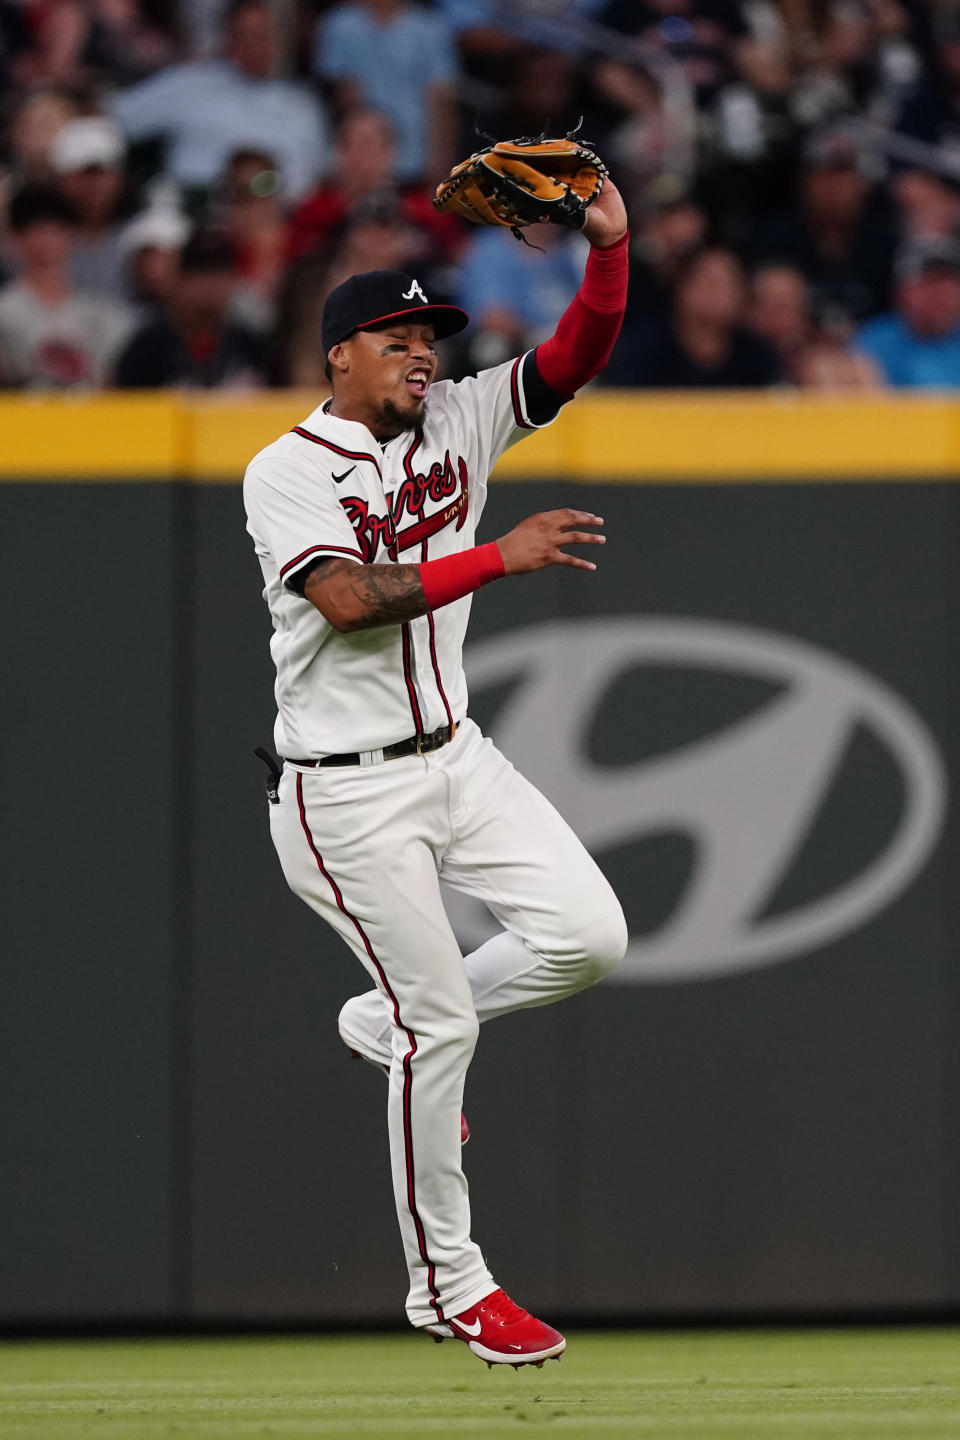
605, 437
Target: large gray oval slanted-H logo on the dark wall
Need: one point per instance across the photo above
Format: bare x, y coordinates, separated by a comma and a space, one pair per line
748, 794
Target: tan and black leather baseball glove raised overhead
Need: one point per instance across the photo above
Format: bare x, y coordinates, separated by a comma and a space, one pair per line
523, 182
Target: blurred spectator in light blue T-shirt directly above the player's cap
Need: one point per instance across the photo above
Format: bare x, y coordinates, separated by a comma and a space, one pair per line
399, 58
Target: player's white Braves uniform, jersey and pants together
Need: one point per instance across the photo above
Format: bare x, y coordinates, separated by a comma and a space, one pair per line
368, 845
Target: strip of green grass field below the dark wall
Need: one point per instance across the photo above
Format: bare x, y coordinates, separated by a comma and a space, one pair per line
705, 1386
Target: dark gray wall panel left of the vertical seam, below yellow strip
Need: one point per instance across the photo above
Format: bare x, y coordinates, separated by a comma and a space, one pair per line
90, 905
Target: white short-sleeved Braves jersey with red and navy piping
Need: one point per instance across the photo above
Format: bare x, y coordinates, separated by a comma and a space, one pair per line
330, 489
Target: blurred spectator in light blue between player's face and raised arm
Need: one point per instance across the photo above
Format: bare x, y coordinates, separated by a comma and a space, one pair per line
513, 294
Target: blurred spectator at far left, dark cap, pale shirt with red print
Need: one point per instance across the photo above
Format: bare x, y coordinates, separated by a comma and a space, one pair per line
53, 336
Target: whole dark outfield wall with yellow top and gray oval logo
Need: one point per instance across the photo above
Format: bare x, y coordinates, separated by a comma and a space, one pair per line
751, 714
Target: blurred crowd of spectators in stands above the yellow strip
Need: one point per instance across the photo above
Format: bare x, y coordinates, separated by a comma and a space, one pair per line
184, 182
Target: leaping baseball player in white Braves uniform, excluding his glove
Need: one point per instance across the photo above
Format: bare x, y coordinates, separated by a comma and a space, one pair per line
365, 523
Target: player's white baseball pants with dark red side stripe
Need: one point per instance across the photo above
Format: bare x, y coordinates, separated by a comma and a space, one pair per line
366, 847
